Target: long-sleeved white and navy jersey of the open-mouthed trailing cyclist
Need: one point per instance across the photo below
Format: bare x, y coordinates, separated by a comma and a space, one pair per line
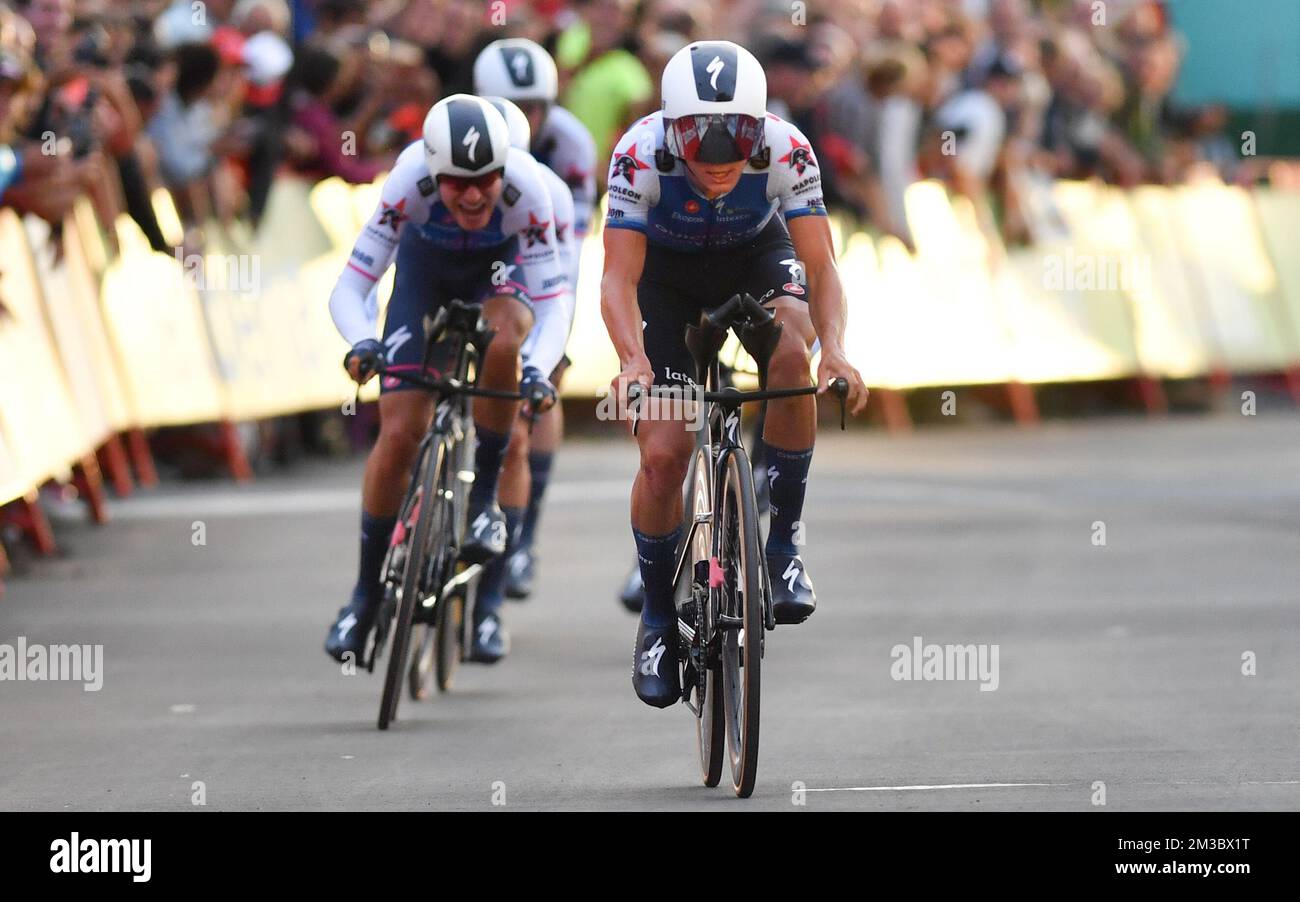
410, 205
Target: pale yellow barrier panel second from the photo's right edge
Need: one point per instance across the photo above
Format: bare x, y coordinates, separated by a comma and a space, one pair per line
1232, 274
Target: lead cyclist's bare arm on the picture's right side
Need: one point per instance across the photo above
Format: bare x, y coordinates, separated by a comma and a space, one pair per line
813, 246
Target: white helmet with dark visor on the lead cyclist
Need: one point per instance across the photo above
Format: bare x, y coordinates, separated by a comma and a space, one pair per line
714, 103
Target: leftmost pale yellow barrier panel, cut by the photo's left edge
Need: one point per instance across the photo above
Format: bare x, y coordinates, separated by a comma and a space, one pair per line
38, 418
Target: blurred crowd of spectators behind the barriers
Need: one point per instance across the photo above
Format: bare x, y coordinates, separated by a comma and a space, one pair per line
214, 99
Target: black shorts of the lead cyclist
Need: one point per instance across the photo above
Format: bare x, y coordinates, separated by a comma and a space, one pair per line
677, 285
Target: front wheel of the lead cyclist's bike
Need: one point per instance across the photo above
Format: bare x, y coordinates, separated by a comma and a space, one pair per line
742, 622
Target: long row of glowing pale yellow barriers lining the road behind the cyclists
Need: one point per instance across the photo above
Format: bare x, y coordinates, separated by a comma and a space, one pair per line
1152, 284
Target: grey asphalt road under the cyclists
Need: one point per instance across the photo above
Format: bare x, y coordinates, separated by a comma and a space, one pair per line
1120, 664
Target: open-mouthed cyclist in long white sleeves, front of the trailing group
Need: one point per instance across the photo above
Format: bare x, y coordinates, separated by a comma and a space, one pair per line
463, 215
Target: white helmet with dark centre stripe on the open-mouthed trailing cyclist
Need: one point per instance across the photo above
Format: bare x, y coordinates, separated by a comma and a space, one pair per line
465, 137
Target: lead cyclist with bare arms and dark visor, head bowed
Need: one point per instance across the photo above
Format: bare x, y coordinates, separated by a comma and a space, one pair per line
712, 197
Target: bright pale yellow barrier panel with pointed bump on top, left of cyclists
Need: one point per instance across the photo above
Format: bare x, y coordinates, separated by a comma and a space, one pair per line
159, 336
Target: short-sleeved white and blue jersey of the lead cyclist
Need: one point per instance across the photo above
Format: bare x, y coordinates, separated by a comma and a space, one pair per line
664, 206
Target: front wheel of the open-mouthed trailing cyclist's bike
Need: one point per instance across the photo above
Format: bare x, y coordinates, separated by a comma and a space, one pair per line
430, 537
